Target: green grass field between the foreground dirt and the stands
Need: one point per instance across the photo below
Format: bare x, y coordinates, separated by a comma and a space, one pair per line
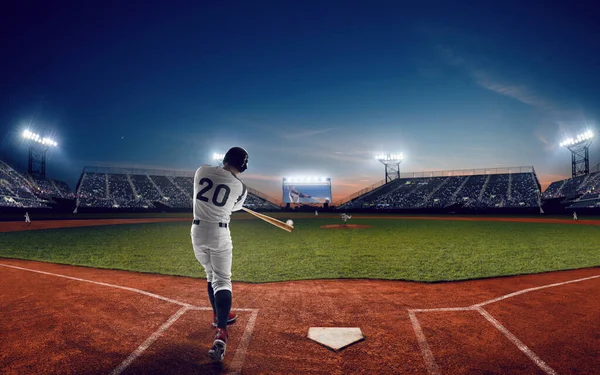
420, 250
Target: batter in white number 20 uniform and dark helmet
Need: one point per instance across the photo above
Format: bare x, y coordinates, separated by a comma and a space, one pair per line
217, 193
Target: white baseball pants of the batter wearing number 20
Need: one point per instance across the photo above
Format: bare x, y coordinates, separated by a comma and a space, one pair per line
213, 249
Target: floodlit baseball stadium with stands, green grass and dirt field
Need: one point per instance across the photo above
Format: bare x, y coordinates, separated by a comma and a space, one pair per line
125, 230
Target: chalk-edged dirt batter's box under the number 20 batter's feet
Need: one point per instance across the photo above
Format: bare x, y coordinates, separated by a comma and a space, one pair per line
181, 344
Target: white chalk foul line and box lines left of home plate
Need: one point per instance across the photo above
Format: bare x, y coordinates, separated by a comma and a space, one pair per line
240, 355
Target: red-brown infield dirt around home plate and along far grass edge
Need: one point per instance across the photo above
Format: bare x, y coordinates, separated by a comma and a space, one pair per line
73, 320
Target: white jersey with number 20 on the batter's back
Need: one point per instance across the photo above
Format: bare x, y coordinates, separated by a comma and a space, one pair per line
217, 193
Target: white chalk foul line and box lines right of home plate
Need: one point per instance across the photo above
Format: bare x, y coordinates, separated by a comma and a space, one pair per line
432, 366
